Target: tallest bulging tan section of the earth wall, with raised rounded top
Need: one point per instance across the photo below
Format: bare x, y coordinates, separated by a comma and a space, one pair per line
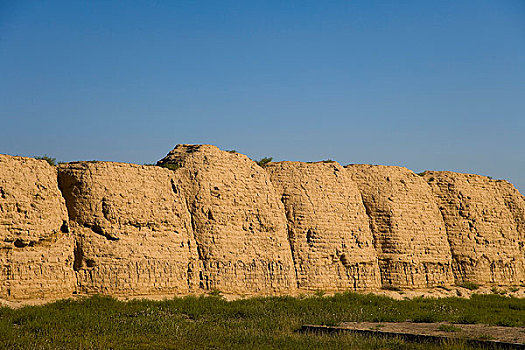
238, 221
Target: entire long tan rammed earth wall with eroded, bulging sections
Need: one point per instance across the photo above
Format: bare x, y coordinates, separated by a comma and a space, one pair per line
217, 220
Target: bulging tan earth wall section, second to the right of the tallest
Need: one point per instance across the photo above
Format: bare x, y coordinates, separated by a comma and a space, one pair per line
409, 232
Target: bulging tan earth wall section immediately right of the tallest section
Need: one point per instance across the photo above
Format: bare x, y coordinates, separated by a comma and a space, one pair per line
327, 226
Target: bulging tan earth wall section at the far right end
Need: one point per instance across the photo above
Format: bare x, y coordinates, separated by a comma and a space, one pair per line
483, 222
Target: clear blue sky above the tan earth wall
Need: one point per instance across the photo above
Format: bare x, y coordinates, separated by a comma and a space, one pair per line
423, 84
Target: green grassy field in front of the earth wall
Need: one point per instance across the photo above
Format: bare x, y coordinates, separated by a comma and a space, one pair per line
257, 323
